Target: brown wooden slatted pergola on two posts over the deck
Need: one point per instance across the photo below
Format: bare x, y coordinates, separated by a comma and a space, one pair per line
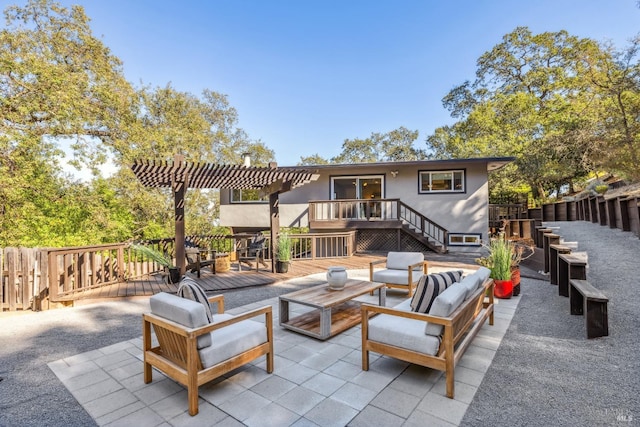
180, 175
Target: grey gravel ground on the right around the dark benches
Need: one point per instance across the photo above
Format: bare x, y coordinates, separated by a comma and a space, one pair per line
546, 372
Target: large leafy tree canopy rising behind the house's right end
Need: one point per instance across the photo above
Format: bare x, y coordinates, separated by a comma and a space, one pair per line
564, 106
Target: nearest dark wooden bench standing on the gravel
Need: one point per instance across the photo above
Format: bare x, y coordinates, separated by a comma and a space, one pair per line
586, 300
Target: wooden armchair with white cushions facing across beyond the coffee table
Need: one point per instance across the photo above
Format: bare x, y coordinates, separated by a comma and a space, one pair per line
403, 270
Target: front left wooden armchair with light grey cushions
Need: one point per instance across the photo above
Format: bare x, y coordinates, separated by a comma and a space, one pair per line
193, 351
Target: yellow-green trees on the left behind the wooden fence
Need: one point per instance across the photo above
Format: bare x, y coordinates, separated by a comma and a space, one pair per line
61, 88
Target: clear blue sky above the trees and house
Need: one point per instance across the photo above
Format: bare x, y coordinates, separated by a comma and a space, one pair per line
305, 75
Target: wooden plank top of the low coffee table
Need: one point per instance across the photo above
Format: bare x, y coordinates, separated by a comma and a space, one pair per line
322, 296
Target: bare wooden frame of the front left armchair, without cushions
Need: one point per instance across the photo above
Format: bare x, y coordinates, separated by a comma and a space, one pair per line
177, 353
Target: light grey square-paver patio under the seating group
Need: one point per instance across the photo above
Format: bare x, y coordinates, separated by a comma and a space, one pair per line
314, 383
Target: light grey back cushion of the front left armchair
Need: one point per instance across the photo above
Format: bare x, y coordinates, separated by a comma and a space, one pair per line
188, 313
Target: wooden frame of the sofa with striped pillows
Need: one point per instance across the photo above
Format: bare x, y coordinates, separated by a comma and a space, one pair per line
459, 331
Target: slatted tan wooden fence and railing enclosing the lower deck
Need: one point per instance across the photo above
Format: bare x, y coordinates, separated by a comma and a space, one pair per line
31, 275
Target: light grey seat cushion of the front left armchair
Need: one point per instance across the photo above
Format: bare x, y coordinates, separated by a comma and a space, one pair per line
232, 340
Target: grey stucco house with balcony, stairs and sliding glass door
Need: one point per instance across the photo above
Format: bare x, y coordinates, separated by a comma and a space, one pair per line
439, 205
